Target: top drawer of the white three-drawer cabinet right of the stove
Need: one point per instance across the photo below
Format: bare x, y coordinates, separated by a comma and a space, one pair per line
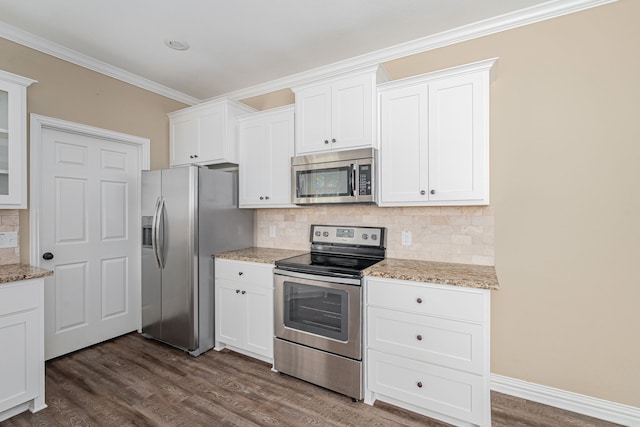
423, 298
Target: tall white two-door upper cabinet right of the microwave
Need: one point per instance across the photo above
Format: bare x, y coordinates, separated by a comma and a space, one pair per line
434, 147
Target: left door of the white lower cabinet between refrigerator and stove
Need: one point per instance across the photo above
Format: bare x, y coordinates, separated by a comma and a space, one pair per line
229, 312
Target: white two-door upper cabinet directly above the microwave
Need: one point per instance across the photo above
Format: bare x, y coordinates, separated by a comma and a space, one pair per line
338, 113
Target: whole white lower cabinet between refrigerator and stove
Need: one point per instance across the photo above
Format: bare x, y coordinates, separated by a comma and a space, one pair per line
244, 308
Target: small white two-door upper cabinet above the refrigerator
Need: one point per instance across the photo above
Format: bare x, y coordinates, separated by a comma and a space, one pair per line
205, 134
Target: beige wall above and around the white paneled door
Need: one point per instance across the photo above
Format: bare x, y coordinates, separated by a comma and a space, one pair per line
69, 92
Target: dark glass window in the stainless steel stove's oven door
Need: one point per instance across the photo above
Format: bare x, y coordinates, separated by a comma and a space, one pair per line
318, 310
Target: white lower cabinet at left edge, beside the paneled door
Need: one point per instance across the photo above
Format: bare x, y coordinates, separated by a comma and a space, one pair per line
22, 349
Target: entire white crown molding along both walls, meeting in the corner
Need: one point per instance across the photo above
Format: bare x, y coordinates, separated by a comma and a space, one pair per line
531, 15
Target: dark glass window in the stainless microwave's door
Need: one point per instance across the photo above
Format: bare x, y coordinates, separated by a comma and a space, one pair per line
330, 182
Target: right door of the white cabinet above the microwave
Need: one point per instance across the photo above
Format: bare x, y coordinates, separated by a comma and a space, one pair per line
352, 113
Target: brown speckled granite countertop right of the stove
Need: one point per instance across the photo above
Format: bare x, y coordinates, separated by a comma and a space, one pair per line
472, 276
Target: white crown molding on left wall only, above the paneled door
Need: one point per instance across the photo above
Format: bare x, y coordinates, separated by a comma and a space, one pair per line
40, 44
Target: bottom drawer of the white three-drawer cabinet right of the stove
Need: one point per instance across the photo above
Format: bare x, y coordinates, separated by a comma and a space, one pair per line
447, 391
